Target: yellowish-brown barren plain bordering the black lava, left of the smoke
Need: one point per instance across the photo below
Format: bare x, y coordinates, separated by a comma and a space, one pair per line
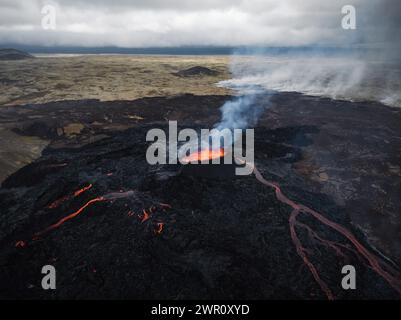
102, 77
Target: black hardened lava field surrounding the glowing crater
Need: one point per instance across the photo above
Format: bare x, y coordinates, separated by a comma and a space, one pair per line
116, 227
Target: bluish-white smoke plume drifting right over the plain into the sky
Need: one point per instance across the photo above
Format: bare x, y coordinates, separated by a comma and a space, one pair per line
365, 66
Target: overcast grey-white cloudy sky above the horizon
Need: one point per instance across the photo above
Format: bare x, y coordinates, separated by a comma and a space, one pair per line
146, 23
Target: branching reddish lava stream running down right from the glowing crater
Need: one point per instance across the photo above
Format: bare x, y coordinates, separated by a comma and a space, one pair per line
380, 267
